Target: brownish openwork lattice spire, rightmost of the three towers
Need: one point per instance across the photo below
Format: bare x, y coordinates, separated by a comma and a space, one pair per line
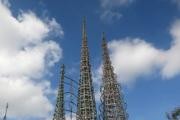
113, 107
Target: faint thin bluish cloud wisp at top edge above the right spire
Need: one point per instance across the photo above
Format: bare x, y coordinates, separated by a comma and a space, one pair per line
110, 9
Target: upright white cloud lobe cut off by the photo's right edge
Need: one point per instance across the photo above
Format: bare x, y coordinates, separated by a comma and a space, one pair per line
172, 57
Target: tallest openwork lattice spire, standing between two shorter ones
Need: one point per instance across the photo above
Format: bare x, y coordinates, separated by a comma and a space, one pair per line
86, 102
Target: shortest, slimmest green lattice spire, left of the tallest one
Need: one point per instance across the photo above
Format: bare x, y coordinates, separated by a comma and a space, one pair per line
59, 110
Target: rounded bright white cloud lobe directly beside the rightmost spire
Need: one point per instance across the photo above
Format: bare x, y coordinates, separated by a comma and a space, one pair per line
133, 57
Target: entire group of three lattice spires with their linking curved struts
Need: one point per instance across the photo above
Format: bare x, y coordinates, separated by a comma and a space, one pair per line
80, 101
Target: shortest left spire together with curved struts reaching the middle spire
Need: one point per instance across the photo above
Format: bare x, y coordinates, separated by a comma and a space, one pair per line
66, 105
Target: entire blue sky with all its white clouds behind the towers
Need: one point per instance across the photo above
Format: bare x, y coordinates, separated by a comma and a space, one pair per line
37, 36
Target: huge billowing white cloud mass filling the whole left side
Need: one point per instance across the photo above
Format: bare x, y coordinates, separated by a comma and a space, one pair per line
26, 55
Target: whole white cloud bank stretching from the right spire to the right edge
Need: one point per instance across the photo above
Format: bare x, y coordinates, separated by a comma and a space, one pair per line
133, 57
